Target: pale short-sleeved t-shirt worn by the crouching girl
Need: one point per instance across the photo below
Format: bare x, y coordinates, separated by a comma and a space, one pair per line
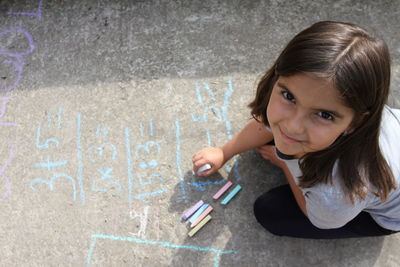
328, 207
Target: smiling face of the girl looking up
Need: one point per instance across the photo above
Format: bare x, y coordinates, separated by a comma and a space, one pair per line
306, 114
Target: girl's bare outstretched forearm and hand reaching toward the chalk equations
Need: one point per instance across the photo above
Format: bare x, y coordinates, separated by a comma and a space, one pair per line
251, 136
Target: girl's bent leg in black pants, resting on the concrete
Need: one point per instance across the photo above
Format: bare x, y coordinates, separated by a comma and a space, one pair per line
278, 212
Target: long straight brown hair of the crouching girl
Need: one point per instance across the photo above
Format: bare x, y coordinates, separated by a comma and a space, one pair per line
359, 66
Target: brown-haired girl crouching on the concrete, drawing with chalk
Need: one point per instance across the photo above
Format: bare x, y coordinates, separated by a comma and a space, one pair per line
319, 113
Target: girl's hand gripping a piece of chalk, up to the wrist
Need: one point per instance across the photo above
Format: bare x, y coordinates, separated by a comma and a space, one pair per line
209, 155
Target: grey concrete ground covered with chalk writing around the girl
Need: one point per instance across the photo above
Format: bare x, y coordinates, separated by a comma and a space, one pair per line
103, 105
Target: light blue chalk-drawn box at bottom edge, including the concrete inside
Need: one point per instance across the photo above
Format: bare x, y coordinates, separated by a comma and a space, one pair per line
107, 250
